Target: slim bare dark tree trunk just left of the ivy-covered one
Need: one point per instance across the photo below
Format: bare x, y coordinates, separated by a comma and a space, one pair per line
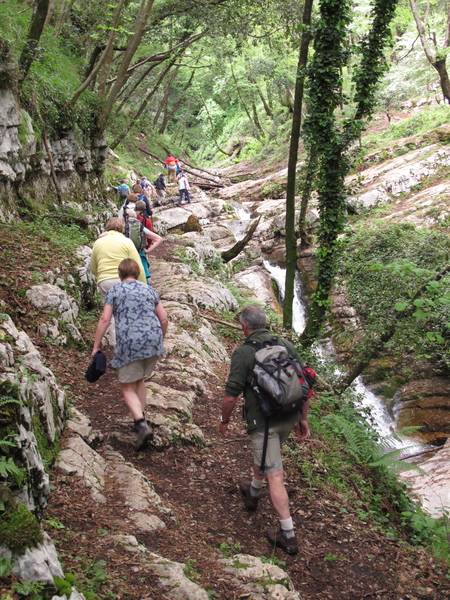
291, 240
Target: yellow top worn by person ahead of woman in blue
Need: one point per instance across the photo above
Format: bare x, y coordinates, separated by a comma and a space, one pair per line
109, 251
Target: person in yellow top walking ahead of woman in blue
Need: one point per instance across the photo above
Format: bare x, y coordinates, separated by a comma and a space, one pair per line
107, 253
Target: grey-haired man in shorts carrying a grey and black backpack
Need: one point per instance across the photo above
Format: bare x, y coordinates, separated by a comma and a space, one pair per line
277, 388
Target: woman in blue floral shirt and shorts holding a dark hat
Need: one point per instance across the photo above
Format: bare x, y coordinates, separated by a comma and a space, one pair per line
141, 326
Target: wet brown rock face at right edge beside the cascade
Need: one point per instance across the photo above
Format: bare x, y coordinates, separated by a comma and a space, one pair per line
425, 403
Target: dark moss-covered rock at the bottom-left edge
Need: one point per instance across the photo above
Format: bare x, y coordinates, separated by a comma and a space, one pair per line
19, 529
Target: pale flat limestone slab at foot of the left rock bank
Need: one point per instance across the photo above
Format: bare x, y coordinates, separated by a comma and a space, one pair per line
79, 459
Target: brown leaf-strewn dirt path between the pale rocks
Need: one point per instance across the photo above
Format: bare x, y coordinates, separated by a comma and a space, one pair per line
340, 557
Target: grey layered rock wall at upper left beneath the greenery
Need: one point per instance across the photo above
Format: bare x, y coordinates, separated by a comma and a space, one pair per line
25, 168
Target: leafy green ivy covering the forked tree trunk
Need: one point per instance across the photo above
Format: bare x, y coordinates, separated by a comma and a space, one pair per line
330, 138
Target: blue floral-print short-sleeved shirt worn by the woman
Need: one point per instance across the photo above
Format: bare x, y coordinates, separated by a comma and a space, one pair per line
138, 330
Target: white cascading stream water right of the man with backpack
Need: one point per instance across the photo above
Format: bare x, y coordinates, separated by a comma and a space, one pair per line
381, 417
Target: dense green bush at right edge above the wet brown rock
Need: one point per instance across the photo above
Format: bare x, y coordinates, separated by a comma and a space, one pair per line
385, 266
